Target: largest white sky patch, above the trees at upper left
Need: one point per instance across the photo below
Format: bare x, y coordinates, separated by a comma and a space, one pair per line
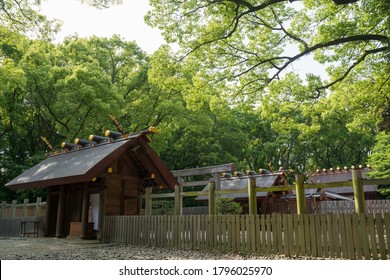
127, 20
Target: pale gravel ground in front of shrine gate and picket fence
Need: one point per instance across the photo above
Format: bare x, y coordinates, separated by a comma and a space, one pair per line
77, 249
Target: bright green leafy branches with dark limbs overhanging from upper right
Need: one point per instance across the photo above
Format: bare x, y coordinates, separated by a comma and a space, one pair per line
251, 43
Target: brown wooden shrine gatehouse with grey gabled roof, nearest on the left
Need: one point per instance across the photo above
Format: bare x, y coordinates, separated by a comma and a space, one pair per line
93, 178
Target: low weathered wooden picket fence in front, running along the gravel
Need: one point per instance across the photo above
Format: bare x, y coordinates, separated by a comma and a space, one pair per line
347, 236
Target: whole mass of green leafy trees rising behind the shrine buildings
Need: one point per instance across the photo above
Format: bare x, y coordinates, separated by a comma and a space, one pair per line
224, 93
